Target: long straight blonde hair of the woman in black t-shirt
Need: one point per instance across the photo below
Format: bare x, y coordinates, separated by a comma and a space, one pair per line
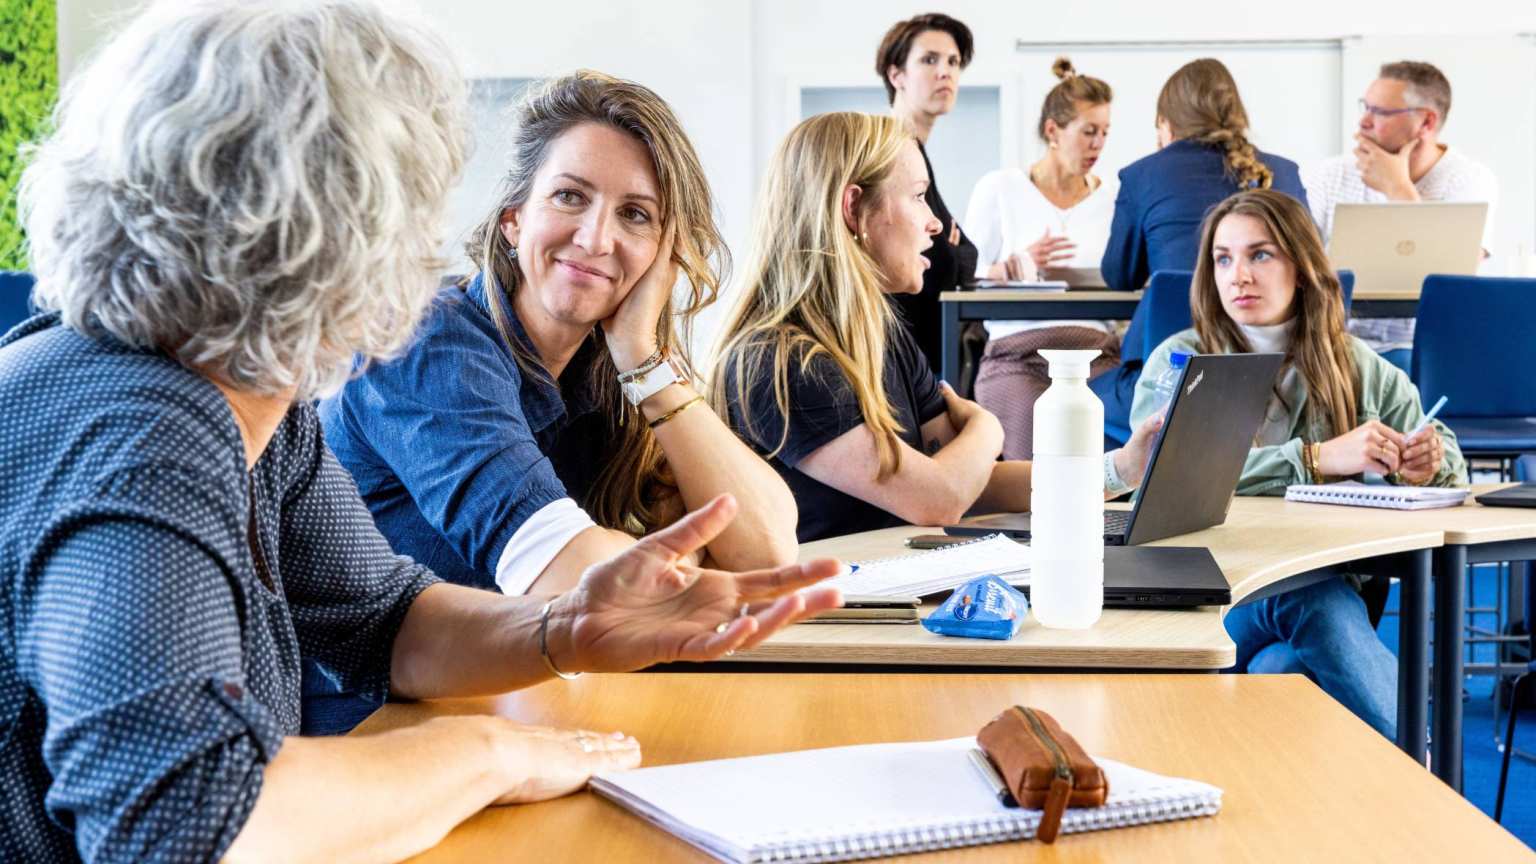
812, 288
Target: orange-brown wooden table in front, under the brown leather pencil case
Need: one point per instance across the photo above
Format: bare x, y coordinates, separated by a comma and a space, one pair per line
1303, 780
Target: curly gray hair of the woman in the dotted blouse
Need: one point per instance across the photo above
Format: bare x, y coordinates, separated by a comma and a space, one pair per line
254, 188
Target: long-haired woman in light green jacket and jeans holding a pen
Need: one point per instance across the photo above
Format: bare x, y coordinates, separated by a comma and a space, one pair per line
1340, 411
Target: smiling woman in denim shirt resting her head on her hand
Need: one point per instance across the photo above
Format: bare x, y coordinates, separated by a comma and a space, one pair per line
546, 416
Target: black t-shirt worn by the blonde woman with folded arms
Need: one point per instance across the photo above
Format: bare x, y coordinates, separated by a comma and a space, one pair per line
823, 407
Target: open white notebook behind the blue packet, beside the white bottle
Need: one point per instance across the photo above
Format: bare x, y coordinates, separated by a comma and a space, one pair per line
941, 570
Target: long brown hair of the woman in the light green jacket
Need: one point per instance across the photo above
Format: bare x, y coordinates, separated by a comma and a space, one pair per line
1320, 347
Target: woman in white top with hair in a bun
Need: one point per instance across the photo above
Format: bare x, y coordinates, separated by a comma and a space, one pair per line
1025, 227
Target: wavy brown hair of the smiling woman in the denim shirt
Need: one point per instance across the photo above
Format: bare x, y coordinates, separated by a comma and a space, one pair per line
634, 484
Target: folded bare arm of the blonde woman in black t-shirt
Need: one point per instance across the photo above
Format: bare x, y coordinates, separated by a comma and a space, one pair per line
933, 488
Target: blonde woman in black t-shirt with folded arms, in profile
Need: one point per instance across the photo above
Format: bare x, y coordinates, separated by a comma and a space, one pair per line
816, 373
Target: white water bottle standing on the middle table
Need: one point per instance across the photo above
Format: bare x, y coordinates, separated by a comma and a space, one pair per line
1067, 499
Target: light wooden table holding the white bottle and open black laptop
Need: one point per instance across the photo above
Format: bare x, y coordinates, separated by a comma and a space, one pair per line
1266, 547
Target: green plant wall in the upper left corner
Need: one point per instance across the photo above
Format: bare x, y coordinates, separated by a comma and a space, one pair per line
28, 87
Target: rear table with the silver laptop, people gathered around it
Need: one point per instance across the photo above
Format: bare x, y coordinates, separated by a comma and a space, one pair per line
1001, 305
